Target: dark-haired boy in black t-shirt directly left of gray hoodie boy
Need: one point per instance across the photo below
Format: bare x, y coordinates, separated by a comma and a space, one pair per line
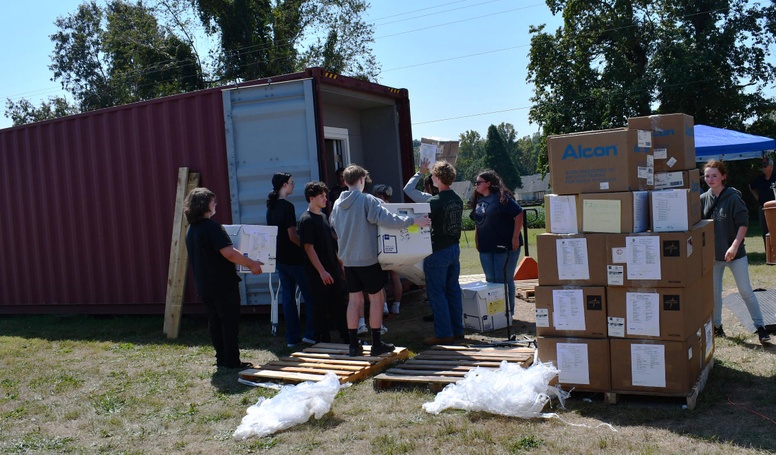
322, 266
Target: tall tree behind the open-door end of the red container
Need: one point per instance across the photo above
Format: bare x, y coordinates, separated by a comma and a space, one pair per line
264, 38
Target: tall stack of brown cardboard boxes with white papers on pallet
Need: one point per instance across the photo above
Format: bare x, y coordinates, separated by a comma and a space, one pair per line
624, 302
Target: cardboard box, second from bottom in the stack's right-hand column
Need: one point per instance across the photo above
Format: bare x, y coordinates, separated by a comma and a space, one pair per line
658, 313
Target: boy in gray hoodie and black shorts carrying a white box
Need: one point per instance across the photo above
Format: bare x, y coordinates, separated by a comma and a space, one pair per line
355, 218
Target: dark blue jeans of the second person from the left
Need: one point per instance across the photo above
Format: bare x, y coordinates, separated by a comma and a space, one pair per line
292, 276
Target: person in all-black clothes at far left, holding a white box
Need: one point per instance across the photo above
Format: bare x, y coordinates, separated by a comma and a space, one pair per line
213, 258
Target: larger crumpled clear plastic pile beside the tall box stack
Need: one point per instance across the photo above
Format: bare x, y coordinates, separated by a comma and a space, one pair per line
511, 391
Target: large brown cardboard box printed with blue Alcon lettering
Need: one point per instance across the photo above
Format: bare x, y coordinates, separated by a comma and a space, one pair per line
601, 161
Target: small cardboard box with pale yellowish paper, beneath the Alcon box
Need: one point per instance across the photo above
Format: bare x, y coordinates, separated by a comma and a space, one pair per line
615, 212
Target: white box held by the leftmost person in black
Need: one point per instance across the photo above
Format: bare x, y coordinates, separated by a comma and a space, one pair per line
257, 242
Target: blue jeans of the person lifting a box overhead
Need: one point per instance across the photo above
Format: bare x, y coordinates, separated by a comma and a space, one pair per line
442, 270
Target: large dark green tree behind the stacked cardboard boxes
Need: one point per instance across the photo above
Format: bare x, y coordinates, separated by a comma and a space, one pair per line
612, 60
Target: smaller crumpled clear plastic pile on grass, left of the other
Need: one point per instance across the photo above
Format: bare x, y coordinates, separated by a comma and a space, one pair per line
294, 404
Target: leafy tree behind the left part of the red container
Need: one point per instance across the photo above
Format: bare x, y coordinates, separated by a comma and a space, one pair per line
112, 55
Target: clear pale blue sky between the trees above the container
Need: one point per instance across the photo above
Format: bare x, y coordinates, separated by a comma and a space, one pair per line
463, 61
